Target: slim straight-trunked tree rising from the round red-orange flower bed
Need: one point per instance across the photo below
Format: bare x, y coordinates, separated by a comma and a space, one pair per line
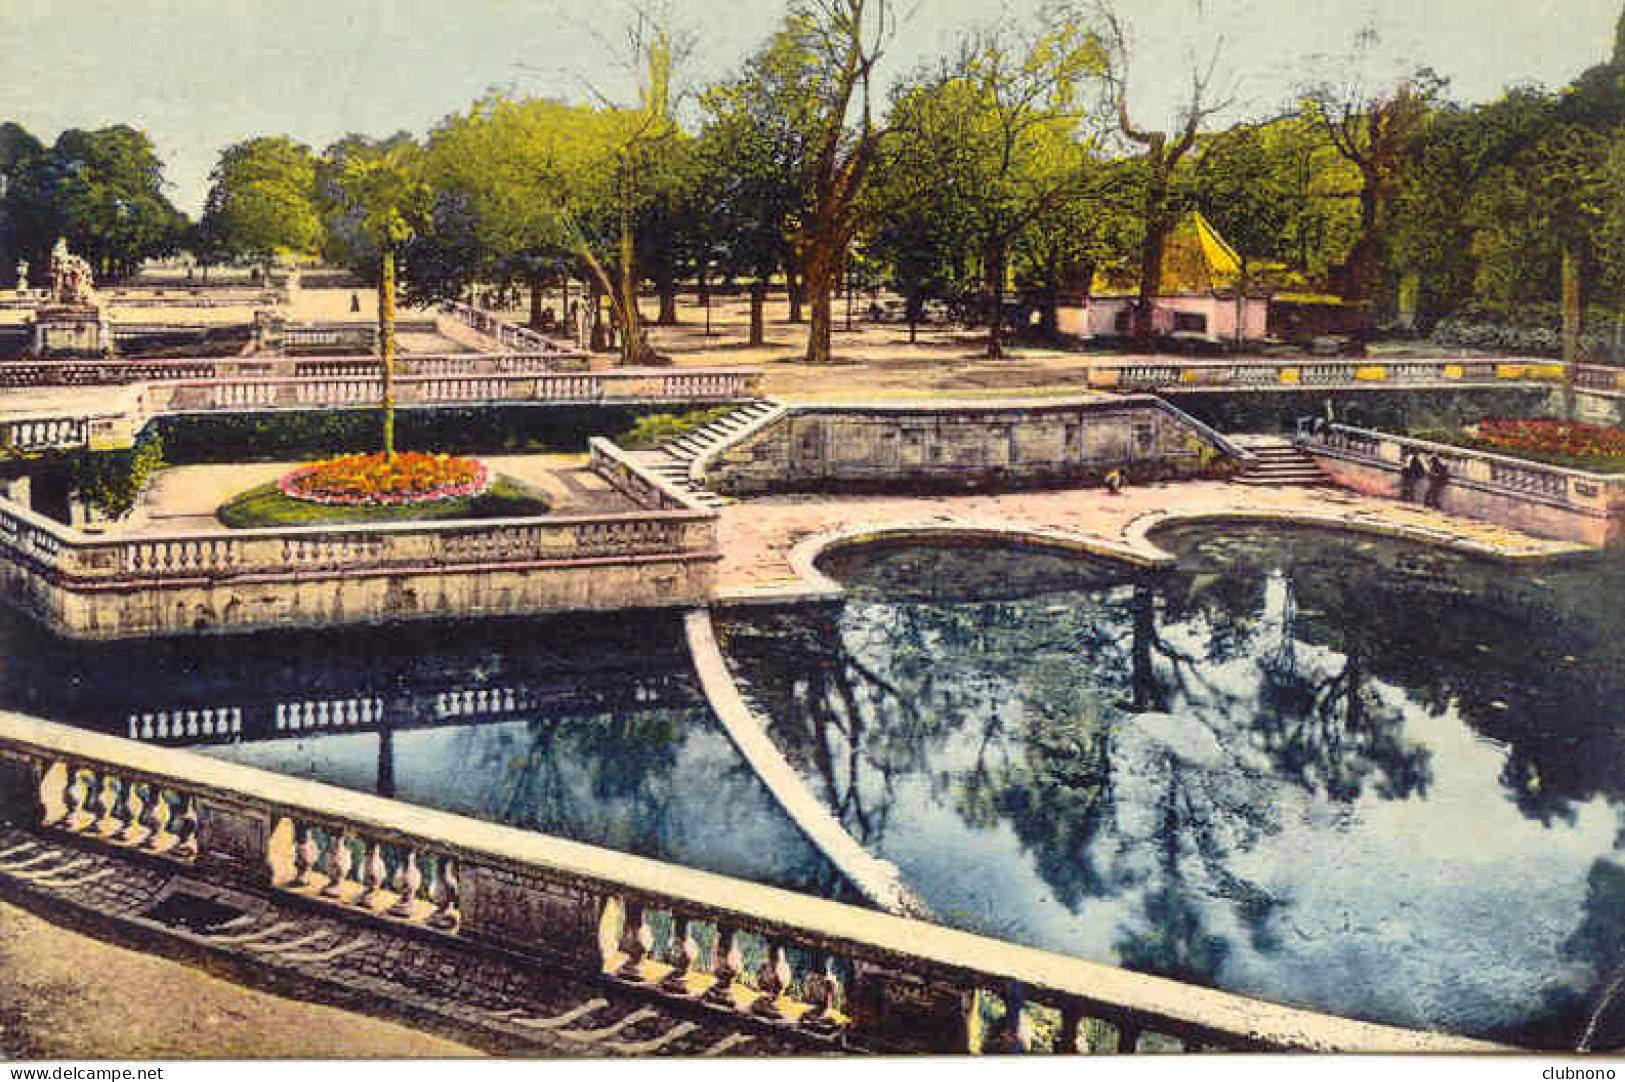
384, 197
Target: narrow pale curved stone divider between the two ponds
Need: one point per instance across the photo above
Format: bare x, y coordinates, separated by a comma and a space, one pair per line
880, 881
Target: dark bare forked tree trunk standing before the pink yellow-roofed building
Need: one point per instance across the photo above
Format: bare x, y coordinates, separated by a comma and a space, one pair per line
1161, 155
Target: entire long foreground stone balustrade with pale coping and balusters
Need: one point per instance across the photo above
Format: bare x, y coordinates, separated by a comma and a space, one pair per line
859, 979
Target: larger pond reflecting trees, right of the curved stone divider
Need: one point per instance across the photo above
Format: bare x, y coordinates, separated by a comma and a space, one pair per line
1348, 774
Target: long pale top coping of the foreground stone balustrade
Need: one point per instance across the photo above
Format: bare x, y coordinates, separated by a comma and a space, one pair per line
807, 917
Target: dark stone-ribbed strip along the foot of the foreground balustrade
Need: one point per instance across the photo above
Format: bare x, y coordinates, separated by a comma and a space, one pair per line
485, 1000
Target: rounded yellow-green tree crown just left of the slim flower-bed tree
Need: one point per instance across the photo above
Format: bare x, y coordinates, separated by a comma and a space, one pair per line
262, 201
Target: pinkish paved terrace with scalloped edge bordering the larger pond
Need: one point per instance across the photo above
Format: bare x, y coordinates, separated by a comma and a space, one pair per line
758, 535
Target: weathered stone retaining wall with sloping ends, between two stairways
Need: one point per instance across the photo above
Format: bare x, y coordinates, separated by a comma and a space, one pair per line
966, 444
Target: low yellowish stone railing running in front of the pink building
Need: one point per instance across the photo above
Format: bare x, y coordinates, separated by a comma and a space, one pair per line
1309, 373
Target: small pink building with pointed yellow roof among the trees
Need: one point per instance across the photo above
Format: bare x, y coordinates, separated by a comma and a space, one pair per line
1202, 295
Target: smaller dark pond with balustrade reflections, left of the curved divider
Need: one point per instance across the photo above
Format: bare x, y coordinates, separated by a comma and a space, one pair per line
587, 729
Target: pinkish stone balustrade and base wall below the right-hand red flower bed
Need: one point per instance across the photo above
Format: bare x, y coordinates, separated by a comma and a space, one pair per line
1546, 501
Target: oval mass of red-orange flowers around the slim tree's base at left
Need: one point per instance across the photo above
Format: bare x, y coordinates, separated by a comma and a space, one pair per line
379, 482
